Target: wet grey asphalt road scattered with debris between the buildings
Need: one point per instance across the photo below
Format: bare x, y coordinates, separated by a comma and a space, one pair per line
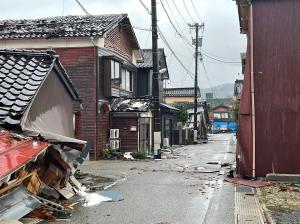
183, 190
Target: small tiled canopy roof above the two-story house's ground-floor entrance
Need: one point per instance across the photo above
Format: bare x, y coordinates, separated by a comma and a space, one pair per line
131, 105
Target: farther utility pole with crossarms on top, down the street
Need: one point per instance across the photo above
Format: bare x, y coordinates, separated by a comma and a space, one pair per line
197, 43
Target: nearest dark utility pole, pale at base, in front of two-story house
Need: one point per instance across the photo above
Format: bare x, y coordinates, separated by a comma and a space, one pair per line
155, 82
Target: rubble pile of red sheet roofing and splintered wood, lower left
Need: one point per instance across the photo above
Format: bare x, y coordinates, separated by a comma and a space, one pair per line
35, 180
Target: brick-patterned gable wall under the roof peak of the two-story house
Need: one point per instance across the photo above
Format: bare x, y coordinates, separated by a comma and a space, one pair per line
117, 39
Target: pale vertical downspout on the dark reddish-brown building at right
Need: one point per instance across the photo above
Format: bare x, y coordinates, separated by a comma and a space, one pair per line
252, 94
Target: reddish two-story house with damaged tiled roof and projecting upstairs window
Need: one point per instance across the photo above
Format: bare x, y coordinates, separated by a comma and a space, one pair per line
98, 52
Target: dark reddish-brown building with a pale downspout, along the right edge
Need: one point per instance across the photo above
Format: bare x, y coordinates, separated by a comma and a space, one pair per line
268, 137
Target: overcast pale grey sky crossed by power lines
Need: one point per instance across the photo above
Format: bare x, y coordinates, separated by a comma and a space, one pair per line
221, 37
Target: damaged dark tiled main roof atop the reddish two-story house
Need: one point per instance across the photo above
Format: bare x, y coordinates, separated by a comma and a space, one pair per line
61, 26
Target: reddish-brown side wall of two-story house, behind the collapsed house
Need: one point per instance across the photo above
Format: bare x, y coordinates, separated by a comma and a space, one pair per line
80, 64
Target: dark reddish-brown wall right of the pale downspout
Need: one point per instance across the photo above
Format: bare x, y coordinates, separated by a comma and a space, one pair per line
277, 85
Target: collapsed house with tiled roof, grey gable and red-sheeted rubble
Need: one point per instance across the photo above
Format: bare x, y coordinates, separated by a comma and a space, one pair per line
38, 150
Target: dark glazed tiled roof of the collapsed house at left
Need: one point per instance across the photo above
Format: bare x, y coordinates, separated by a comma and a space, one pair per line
21, 75
